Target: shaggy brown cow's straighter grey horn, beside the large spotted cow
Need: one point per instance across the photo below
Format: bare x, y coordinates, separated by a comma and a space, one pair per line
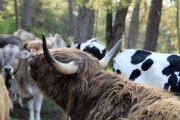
104, 61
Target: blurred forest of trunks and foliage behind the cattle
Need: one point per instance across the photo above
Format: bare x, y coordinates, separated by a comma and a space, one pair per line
142, 24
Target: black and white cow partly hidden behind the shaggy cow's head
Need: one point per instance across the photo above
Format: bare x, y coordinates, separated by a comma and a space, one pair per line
92, 46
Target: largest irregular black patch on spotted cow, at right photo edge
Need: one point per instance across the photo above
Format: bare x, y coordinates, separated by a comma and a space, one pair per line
174, 66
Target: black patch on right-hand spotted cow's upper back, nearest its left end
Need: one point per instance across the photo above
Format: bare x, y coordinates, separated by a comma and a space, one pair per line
139, 56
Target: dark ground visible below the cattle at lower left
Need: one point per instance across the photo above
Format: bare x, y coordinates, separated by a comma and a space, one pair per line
49, 111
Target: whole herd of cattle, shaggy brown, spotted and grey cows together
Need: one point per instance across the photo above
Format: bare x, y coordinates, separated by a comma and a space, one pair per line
74, 79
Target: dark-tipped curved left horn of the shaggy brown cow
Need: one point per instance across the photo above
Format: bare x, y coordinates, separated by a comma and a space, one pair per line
65, 68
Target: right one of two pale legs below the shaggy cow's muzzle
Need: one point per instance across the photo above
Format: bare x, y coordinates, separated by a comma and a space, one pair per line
37, 105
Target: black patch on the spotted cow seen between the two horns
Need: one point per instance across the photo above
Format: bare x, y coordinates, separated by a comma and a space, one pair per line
94, 51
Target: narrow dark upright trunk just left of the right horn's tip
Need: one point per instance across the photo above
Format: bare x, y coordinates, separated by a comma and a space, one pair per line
109, 29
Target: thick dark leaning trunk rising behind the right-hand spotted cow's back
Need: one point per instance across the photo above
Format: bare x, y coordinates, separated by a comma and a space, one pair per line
152, 29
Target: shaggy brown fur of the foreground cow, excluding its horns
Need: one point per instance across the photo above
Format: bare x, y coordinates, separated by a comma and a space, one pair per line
92, 94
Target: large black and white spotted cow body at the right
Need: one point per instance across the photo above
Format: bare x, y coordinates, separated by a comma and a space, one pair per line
155, 69
